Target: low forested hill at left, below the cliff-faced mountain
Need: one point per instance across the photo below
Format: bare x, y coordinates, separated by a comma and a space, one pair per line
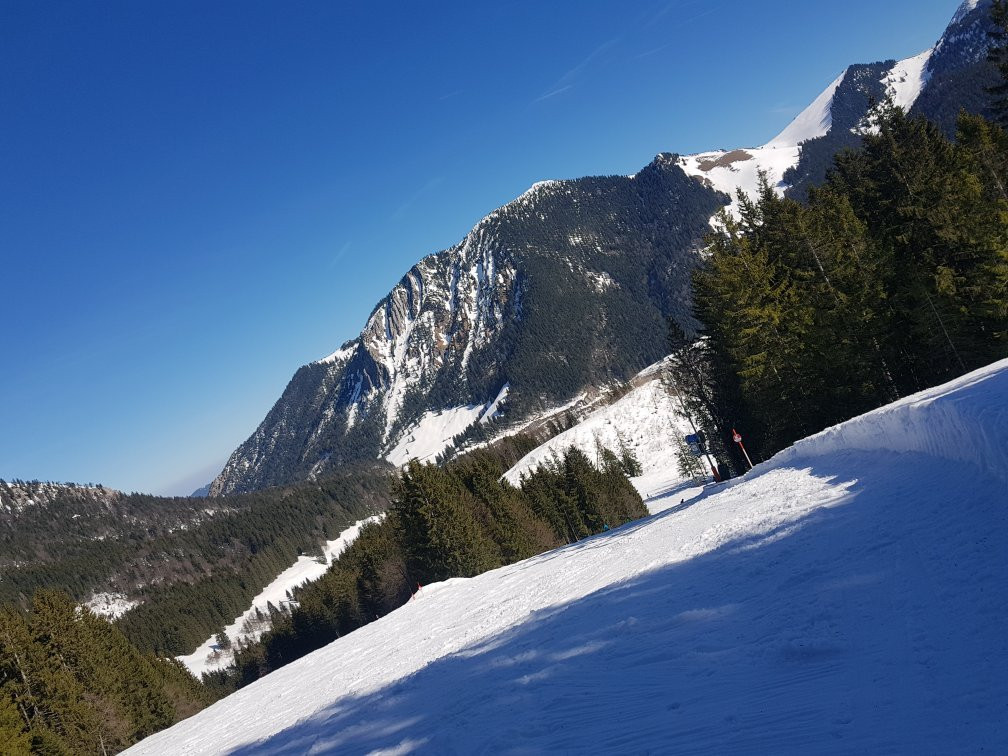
186, 566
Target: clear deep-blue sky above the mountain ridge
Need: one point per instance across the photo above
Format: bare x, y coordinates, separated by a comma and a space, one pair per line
197, 198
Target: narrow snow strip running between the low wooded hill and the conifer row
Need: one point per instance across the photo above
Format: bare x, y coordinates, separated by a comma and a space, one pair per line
209, 658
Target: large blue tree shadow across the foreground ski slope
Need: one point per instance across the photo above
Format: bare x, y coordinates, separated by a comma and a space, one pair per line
857, 627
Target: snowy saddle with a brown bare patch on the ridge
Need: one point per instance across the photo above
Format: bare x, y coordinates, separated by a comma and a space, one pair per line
728, 172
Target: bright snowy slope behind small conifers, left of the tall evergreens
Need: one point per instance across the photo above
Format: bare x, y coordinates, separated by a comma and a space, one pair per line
645, 421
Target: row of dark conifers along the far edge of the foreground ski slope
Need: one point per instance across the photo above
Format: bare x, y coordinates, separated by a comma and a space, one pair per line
459, 520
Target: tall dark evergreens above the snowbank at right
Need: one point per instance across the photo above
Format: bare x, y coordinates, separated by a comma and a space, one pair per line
892, 279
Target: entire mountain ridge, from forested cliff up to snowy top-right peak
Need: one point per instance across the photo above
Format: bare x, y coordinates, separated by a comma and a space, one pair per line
568, 288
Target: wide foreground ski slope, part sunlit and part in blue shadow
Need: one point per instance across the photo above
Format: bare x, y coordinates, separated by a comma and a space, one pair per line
848, 596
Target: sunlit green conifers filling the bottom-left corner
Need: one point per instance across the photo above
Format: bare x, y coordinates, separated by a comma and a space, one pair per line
72, 683
